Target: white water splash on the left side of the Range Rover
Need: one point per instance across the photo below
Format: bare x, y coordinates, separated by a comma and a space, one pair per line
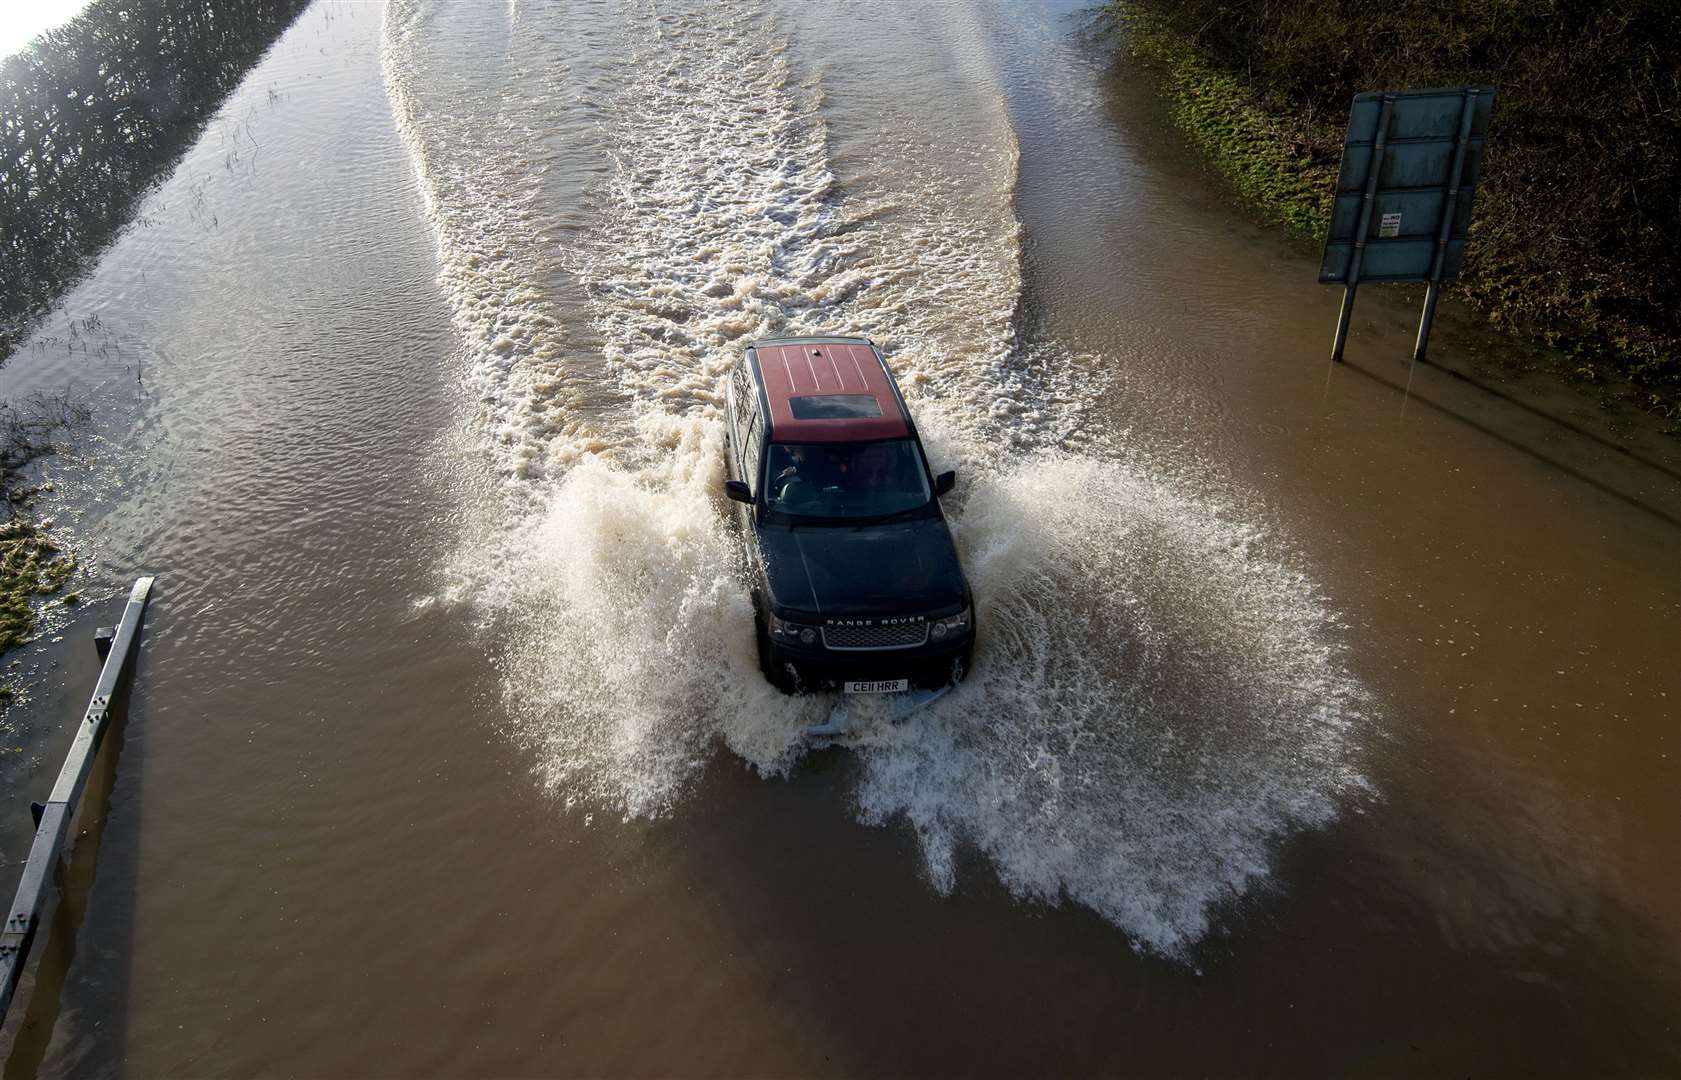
626, 613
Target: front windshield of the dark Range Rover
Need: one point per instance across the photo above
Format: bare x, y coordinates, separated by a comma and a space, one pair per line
845, 480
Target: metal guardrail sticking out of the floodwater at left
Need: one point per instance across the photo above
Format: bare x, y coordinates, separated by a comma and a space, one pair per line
53, 822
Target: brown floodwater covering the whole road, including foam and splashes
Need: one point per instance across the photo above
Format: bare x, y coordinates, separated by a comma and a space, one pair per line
1324, 721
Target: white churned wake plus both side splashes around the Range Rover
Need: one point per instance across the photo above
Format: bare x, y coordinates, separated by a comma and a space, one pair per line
1159, 697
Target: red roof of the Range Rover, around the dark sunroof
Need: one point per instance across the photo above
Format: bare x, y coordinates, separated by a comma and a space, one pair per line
830, 369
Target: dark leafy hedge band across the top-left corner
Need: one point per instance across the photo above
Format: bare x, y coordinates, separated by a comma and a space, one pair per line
95, 114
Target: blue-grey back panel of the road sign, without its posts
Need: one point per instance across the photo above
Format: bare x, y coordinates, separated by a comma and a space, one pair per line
1413, 142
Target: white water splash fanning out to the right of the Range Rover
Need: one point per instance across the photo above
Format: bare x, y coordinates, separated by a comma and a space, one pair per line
1156, 704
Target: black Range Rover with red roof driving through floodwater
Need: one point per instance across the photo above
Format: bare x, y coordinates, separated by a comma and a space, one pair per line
856, 583
